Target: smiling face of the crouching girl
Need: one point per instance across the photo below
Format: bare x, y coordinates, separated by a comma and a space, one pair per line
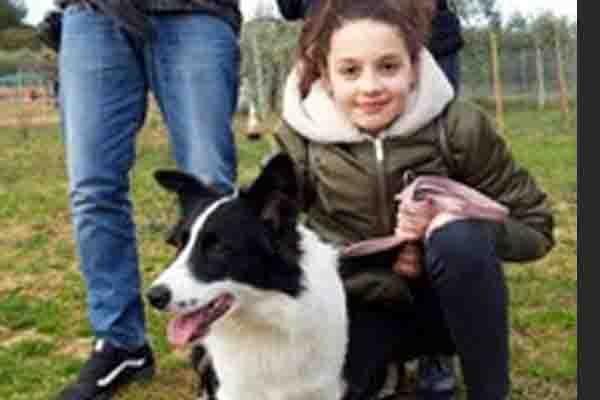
369, 73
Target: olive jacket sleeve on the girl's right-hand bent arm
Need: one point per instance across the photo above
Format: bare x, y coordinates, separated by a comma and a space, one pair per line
486, 164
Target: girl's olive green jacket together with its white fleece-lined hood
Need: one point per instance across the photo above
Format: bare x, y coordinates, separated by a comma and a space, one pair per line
349, 180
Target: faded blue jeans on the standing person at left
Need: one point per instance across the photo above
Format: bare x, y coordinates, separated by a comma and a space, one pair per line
191, 64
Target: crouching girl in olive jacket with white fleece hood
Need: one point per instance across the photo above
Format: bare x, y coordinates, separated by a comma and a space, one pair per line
366, 109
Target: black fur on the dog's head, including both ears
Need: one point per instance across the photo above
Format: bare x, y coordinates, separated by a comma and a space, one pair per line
251, 239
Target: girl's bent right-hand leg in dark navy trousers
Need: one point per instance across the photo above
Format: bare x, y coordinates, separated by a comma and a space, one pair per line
467, 276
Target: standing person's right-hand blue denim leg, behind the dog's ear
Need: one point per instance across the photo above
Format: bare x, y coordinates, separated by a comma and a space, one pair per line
194, 74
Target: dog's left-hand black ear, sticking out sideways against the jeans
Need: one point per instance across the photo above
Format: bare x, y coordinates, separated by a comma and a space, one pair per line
188, 188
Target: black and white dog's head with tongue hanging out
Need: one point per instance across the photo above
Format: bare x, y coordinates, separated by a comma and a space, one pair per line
231, 249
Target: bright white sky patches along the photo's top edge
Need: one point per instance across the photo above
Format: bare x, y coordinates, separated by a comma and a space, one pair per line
37, 8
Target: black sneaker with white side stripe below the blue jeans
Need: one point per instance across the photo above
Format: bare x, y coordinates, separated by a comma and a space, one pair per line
108, 369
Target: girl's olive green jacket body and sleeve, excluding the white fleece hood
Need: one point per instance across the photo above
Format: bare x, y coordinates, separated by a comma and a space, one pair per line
342, 193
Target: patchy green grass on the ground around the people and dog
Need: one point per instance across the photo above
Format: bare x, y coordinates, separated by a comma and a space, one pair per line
44, 333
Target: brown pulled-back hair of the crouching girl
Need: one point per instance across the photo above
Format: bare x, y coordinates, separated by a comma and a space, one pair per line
411, 17
